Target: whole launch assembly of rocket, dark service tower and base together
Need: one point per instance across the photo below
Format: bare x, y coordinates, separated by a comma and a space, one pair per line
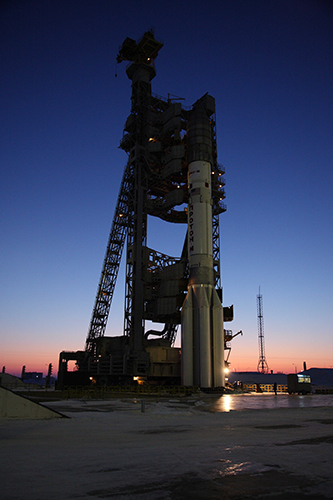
172, 173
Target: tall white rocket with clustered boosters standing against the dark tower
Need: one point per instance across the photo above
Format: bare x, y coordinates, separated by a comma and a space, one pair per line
202, 334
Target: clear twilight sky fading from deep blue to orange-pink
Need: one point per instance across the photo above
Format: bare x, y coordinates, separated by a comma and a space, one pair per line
269, 65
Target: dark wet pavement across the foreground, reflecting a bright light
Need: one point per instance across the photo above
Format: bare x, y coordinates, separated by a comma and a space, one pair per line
235, 447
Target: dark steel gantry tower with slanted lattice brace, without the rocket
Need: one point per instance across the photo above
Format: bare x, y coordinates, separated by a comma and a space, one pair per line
154, 184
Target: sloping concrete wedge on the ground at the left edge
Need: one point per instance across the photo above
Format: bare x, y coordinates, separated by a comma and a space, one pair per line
13, 405
